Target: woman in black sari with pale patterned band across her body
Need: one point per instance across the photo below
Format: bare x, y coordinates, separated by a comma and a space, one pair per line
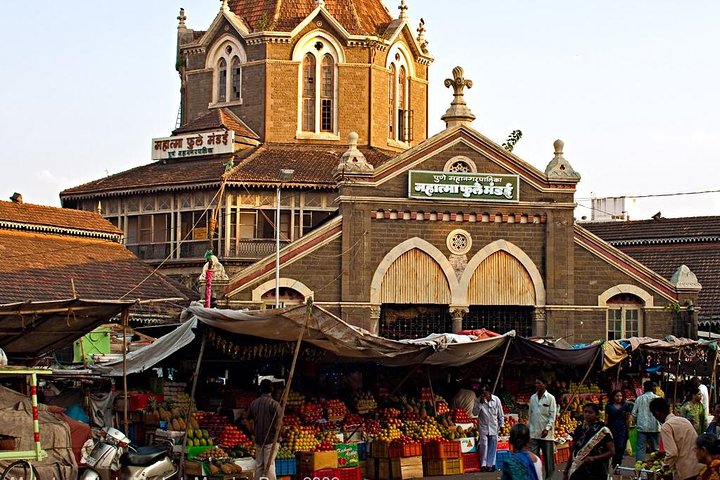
593, 448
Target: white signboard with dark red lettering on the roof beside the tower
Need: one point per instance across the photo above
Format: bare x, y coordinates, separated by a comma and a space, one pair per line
213, 142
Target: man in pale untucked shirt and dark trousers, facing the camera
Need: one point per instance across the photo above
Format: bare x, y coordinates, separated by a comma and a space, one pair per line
541, 423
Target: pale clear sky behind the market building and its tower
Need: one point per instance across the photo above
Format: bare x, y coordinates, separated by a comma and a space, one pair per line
631, 87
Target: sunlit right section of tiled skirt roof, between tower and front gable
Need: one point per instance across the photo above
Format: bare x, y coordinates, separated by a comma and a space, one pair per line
313, 164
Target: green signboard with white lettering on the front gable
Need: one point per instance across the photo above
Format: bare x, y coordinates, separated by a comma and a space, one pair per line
486, 187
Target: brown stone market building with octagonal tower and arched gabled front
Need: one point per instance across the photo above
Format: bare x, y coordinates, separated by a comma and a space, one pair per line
390, 229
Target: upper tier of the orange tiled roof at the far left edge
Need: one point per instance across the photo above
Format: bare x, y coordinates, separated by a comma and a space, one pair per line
41, 217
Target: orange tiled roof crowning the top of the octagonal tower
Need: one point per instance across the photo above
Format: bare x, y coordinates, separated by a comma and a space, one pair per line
359, 17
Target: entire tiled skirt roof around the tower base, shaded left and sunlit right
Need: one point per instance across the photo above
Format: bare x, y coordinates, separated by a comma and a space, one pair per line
313, 165
